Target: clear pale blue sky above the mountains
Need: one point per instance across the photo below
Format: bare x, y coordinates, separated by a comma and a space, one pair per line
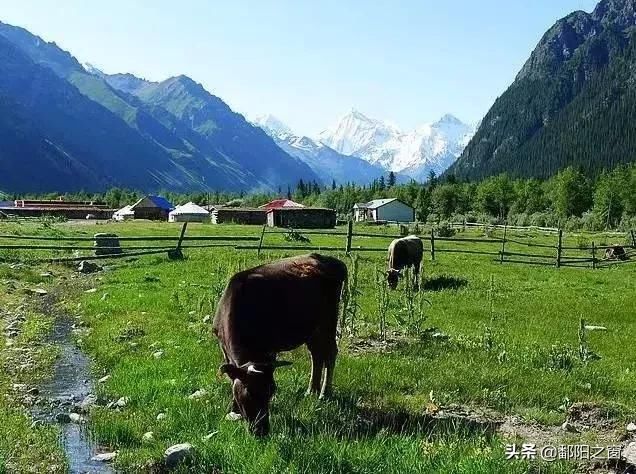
309, 62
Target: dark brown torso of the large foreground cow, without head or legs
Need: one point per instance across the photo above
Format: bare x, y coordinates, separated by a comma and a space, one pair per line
278, 306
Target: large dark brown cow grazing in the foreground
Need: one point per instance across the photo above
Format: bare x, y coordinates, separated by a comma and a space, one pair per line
273, 308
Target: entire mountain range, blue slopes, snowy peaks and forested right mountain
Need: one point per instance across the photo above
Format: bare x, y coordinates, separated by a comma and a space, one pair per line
65, 126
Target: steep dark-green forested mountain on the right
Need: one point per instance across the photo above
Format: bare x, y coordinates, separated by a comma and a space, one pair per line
572, 104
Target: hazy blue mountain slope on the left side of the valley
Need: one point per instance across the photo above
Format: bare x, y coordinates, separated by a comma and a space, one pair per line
67, 128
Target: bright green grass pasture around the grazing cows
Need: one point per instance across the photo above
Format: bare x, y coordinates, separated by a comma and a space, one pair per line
512, 346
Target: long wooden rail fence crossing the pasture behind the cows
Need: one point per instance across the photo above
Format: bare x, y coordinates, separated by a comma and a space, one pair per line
504, 249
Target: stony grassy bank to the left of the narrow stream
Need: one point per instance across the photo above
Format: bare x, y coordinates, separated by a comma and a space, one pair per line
26, 359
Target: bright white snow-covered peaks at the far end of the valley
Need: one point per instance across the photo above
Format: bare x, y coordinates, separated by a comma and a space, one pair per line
431, 146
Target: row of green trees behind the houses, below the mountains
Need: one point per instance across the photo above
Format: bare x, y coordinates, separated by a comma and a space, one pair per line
568, 199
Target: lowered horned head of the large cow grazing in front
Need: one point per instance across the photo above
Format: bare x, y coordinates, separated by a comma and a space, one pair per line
253, 387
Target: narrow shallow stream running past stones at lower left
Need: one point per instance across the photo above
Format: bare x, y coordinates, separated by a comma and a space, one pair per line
71, 383
